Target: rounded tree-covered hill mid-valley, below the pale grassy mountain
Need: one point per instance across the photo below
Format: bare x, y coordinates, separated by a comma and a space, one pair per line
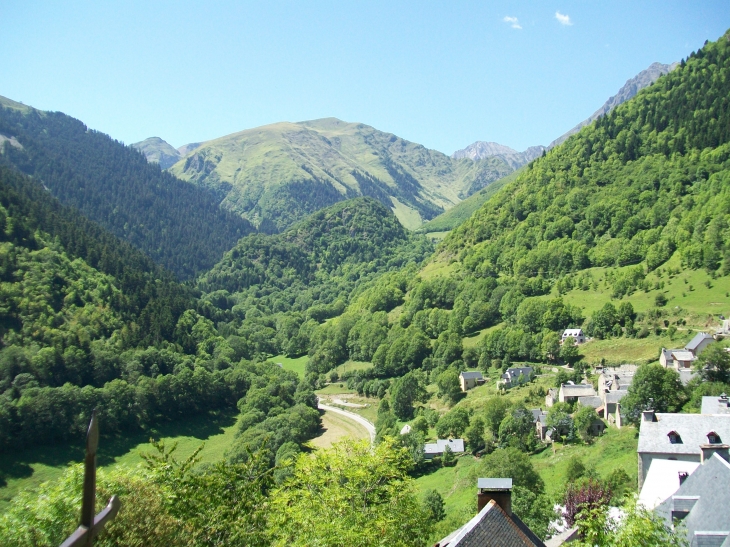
279, 288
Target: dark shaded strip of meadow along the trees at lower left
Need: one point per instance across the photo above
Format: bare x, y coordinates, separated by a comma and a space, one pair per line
19, 464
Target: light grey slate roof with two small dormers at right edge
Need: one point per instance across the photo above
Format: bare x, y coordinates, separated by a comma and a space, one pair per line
692, 430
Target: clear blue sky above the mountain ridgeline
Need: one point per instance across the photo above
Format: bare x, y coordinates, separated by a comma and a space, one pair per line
443, 74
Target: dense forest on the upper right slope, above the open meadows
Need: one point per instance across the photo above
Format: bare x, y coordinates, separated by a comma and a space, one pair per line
649, 179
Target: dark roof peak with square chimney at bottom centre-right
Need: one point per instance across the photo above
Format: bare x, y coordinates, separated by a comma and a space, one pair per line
495, 525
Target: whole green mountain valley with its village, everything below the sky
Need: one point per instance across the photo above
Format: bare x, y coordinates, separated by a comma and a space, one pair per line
261, 291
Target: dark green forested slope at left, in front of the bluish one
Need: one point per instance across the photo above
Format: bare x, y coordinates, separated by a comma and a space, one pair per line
87, 321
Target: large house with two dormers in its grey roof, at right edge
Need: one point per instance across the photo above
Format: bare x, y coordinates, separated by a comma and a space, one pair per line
681, 437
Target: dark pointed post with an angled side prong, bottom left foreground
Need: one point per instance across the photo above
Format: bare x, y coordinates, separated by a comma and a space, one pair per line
91, 525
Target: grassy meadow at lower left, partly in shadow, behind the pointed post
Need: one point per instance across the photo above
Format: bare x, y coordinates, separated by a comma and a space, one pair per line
29, 468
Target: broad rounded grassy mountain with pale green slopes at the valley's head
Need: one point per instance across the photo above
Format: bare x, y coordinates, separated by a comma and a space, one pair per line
277, 174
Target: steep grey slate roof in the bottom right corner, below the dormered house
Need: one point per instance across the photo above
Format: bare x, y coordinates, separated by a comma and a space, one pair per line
709, 513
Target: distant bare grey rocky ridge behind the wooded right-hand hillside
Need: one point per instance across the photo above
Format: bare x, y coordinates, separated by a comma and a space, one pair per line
482, 150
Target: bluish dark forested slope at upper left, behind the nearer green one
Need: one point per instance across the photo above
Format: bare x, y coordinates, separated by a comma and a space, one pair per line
178, 225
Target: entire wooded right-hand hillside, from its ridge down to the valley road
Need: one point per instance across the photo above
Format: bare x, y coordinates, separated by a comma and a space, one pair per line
645, 183
